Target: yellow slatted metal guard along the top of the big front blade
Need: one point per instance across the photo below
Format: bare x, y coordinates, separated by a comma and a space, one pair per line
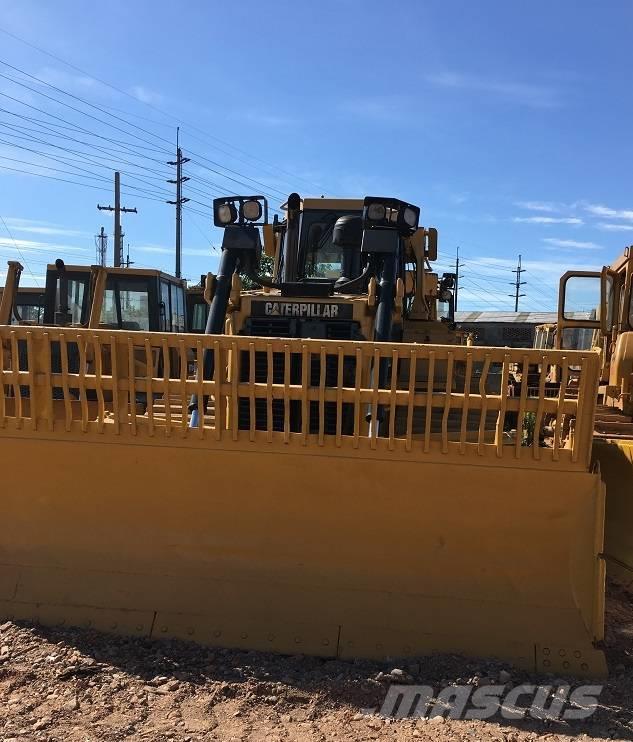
430, 401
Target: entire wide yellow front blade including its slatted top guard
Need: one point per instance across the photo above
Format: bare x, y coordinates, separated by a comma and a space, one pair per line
314, 540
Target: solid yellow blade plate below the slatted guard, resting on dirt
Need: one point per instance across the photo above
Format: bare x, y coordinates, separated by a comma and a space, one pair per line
475, 560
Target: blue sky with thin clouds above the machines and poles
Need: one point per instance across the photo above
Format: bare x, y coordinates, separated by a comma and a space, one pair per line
509, 125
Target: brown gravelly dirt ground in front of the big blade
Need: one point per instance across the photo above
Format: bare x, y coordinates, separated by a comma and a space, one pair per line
71, 685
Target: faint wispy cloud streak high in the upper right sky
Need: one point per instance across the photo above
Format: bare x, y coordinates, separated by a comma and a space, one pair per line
526, 94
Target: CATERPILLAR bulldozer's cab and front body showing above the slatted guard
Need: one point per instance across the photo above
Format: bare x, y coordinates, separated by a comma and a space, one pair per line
343, 269
